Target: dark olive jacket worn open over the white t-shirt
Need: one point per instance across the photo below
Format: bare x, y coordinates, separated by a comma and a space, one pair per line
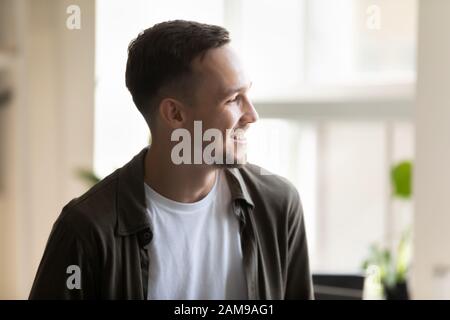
105, 233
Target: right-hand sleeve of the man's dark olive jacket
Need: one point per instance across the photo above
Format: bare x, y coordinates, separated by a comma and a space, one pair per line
298, 283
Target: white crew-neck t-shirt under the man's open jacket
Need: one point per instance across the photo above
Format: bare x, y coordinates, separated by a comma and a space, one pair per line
196, 249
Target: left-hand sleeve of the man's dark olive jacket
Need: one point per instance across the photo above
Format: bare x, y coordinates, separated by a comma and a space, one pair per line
64, 271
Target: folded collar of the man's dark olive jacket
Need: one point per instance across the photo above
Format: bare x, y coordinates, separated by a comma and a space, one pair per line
131, 206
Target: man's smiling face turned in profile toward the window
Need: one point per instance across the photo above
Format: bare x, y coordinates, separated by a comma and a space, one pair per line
222, 102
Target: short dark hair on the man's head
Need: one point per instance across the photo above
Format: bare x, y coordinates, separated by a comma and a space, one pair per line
161, 56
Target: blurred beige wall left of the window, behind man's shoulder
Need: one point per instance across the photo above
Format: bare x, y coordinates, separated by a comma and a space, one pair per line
50, 131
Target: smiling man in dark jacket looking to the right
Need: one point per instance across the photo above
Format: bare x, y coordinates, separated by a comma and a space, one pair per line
161, 228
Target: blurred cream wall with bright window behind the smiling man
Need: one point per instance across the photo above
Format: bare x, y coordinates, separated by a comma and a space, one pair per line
345, 90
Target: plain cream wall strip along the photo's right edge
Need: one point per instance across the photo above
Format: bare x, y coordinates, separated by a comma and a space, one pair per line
431, 266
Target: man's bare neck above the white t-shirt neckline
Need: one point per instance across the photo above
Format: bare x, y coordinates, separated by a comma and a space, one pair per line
182, 183
